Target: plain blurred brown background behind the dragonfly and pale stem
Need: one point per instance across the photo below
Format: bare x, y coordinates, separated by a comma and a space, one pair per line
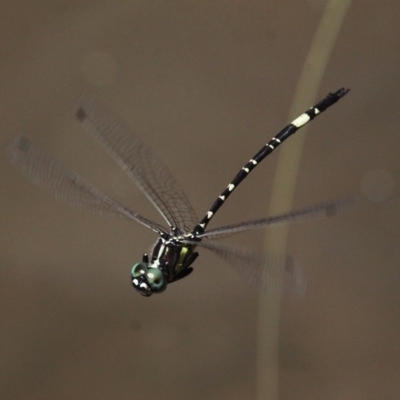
205, 84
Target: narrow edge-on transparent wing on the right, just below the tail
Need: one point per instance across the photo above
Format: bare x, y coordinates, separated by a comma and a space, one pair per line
327, 209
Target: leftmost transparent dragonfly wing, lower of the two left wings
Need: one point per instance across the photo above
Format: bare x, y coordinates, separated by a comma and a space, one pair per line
42, 169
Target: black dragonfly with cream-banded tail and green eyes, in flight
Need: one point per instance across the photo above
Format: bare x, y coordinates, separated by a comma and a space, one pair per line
174, 251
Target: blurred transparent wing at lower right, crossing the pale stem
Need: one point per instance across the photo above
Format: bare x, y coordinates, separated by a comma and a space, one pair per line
273, 273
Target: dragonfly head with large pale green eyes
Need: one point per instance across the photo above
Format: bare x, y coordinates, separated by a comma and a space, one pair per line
148, 280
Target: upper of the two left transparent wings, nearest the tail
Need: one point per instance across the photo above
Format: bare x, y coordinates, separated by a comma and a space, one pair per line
139, 162
